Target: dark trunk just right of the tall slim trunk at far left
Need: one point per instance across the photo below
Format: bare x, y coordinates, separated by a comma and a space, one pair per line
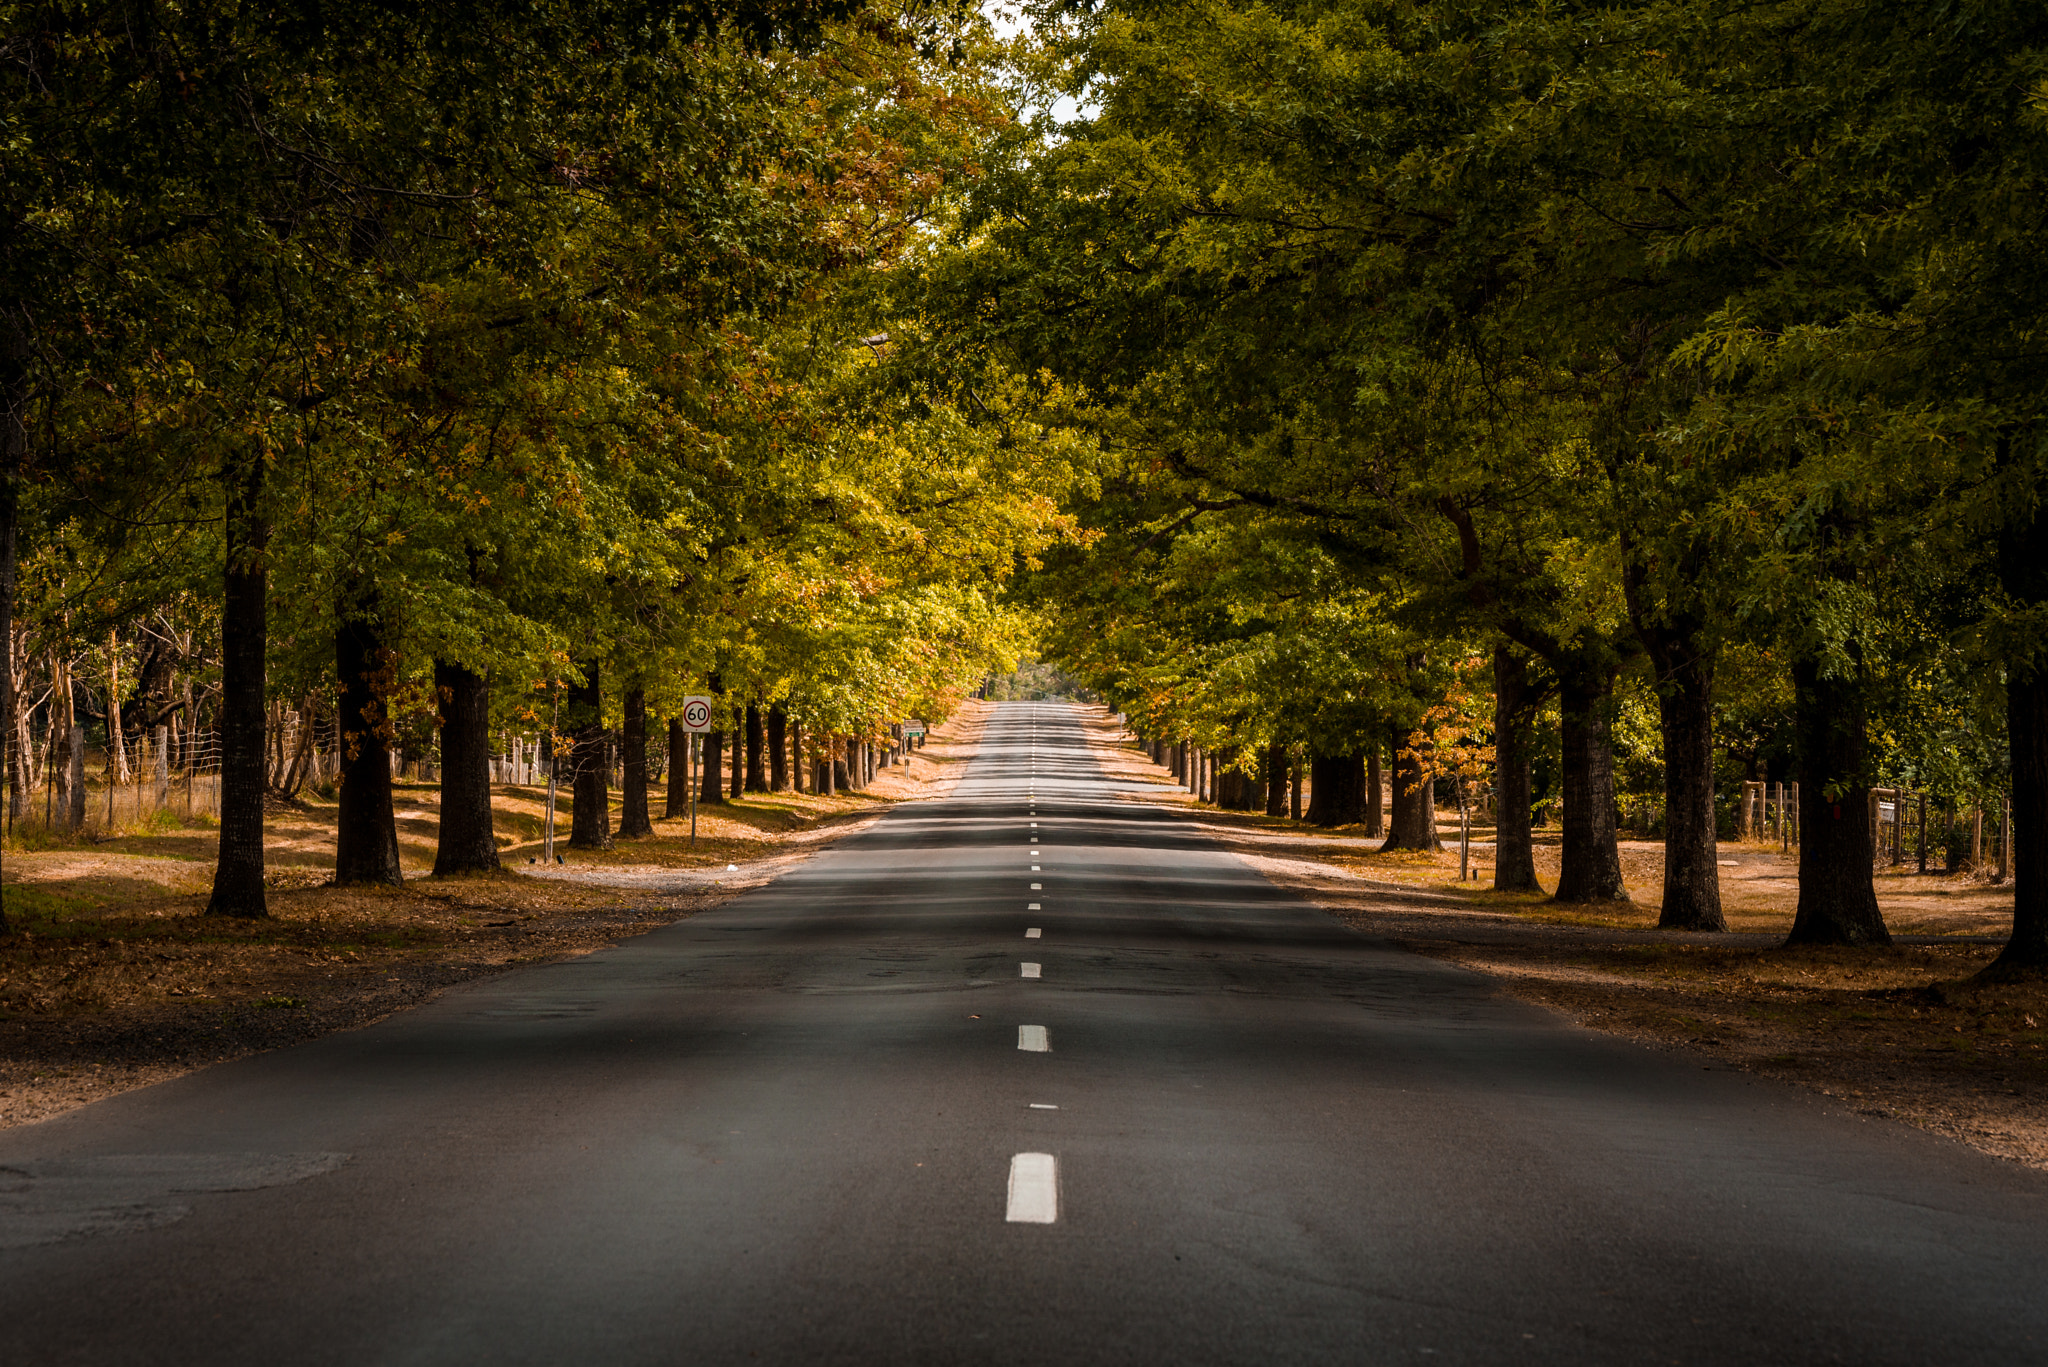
366, 839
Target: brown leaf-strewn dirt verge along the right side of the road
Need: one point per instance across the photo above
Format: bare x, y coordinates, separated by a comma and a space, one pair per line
1885, 1032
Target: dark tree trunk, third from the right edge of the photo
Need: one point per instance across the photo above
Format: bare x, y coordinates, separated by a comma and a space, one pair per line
1687, 710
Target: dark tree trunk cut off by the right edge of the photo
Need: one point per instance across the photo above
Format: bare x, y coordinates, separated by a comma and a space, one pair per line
2024, 573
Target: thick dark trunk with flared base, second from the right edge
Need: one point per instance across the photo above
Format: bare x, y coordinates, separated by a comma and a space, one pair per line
1838, 903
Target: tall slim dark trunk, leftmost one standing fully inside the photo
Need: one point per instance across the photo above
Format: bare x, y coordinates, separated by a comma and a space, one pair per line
245, 645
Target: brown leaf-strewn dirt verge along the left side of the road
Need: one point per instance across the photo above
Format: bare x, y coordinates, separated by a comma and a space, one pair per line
118, 981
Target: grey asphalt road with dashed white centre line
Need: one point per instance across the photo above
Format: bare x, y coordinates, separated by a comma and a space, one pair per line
816, 1128
